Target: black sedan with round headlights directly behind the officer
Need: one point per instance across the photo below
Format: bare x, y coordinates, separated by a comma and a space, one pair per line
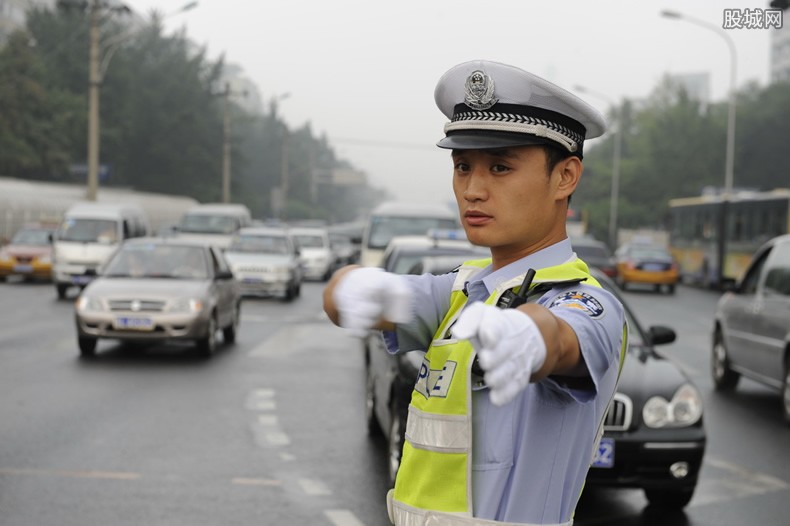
654, 438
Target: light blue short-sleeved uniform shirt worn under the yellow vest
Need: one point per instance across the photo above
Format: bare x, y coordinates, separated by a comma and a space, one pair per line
530, 457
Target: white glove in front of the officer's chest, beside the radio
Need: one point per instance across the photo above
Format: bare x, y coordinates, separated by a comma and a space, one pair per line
508, 344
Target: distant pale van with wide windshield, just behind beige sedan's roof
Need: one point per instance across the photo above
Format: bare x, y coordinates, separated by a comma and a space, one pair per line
214, 223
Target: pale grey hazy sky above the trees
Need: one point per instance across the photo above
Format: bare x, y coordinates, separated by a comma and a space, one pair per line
363, 72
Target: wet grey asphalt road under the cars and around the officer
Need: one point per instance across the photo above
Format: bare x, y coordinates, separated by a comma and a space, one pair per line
271, 430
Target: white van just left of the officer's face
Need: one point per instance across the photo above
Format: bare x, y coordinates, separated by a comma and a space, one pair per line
395, 218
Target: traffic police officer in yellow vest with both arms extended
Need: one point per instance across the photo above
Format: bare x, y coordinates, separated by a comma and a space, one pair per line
523, 348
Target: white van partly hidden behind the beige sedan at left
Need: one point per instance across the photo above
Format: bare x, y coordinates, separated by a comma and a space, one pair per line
88, 235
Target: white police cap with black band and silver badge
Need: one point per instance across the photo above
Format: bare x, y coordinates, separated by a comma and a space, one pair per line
494, 105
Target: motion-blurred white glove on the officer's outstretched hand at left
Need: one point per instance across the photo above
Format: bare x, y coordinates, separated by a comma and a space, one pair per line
366, 295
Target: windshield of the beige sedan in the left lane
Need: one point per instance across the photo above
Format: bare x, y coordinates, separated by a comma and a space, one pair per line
158, 261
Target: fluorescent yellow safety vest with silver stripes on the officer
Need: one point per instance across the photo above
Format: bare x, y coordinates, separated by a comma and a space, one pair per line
436, 468
